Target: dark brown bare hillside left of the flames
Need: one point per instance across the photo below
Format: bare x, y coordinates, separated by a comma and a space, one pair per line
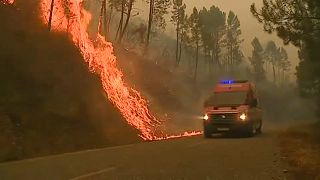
49, 101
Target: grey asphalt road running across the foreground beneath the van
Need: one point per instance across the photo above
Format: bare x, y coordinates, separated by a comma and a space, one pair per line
179, 159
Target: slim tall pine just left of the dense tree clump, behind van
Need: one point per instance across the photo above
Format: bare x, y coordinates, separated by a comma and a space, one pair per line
195, 35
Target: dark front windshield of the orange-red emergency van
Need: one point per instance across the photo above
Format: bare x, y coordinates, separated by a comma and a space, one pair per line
227, 98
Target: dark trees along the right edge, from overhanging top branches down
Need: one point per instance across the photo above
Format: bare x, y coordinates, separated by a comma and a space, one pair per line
297, 22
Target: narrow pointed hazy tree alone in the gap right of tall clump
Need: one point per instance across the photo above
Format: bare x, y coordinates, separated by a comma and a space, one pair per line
257, 60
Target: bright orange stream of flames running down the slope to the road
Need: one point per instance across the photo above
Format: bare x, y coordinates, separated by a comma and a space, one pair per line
69, 16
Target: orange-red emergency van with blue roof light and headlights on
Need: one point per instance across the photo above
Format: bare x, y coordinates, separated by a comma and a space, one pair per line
233, 107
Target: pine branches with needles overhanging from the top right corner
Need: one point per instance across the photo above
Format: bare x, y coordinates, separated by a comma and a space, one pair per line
293, 20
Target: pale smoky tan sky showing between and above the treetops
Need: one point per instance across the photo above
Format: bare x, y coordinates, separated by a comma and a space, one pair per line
249, 25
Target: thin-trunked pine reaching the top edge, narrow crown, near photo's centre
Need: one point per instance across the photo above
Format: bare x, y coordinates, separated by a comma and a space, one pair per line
178, 15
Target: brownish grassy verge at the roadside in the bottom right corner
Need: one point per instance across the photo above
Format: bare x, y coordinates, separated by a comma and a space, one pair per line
300, 147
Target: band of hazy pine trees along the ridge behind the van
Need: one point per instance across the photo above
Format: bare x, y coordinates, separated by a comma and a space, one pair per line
209, 39
